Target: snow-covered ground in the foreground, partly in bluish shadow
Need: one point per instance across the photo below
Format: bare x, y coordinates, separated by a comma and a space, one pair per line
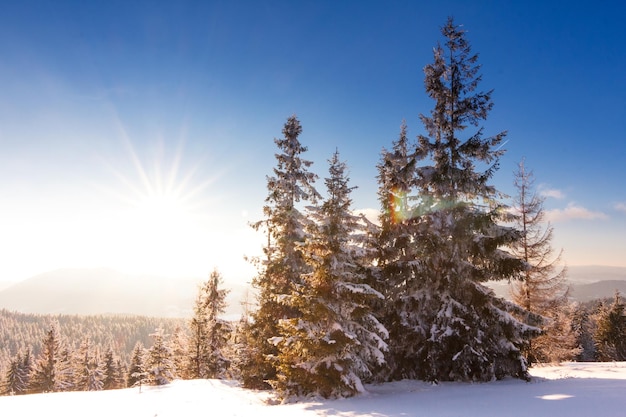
573, 389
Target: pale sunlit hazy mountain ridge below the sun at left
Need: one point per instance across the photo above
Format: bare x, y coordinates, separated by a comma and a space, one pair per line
103, 291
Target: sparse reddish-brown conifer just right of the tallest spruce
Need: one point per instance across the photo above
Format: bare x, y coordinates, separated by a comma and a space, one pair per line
543, 289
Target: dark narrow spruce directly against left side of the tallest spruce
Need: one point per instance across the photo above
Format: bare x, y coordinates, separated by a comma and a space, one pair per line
397, 257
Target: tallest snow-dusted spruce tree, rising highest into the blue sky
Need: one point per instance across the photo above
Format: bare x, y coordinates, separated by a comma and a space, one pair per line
468, 333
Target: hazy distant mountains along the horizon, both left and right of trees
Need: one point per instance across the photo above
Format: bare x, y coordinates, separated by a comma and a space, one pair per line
106, 291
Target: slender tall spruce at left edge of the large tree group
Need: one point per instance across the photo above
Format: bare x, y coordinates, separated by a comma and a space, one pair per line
289, 188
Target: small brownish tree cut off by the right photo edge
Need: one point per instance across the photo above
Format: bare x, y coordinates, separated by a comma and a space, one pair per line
610, 336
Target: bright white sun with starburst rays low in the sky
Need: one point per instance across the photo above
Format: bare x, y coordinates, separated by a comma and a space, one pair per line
165, 220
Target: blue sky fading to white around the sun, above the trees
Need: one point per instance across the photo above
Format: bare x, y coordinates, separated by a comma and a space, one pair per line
137, 135
